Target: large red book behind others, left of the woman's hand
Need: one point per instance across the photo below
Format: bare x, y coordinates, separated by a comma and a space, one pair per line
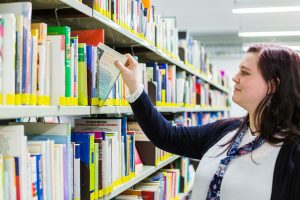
90, 37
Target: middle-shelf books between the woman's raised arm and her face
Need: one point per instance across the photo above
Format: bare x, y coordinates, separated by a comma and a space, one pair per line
170, 87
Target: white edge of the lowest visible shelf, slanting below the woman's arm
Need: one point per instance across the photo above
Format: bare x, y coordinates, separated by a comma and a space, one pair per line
139, 177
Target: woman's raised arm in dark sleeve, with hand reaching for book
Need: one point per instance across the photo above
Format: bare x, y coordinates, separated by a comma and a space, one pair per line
186, 141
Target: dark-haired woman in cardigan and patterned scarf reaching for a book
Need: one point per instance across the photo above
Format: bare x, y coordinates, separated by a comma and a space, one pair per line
253, 158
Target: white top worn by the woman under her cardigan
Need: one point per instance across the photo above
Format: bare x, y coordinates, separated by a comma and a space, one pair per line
244, 178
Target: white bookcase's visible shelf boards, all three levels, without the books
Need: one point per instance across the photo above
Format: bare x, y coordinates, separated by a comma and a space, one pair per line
77, 15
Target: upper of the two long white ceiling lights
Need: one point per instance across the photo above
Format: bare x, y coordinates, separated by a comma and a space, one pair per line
265, 10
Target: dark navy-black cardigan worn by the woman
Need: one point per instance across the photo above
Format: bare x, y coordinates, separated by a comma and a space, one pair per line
194, 141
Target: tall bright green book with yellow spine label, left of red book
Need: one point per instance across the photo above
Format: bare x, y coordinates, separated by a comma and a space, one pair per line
66, 31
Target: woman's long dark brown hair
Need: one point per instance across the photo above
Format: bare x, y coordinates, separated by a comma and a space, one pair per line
277, 117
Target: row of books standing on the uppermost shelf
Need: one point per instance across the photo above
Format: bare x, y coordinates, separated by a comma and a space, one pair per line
139, 17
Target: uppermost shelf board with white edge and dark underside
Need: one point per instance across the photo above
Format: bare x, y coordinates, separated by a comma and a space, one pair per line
118, 36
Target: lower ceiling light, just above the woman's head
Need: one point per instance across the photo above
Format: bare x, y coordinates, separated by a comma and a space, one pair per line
269, 33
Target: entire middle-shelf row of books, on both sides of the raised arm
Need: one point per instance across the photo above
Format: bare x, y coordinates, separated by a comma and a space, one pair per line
64, 69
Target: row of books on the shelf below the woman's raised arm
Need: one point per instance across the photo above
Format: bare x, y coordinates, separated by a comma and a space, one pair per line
48, 161
